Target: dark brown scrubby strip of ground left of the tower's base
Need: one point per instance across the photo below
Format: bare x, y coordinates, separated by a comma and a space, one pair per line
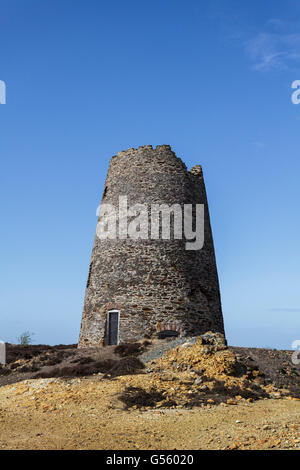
42, 361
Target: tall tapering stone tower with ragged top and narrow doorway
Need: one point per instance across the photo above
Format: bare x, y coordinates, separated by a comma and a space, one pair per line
153, 286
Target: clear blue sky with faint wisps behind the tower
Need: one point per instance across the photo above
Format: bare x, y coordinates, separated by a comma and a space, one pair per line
86, 79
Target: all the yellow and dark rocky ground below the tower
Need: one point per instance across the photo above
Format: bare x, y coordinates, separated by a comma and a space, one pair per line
190, 394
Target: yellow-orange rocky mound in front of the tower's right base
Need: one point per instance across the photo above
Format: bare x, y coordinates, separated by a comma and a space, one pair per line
201, 372
